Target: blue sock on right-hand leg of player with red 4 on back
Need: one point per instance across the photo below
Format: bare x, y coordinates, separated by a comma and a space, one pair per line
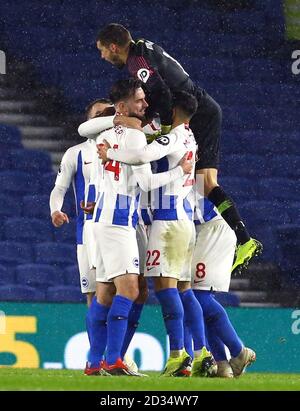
117, 321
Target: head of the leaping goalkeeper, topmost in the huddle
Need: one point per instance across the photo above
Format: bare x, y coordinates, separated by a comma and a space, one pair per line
113, 43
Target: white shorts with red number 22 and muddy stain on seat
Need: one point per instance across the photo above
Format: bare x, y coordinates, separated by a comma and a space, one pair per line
170, 249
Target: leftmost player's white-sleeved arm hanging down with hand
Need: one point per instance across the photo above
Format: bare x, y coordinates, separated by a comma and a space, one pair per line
64, 178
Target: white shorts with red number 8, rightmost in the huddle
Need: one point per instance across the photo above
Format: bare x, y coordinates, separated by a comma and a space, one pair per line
213, 256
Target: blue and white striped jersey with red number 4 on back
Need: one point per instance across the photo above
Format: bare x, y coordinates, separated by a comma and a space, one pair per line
121, 185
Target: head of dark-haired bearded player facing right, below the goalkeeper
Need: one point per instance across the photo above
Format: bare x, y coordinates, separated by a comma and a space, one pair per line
129, 98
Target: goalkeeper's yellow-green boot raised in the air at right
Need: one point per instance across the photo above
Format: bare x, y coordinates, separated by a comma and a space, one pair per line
244, 253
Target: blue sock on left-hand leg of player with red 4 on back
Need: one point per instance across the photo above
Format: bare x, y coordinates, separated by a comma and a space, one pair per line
97, 331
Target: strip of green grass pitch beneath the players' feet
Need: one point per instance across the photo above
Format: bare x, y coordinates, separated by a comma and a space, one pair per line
64, 380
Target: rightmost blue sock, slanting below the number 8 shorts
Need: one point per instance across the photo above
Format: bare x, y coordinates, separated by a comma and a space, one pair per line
218, 322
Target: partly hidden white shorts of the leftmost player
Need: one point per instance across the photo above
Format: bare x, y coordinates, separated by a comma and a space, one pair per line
87, 275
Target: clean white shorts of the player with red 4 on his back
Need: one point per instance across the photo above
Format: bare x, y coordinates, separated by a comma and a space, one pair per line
117, 251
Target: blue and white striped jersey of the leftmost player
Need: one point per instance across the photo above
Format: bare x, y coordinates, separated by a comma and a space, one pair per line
75, 168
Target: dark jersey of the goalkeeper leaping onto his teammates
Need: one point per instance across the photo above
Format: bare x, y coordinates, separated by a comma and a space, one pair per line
161, 74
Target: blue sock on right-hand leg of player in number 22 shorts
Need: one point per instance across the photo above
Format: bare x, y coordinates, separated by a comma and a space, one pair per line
194, 316
